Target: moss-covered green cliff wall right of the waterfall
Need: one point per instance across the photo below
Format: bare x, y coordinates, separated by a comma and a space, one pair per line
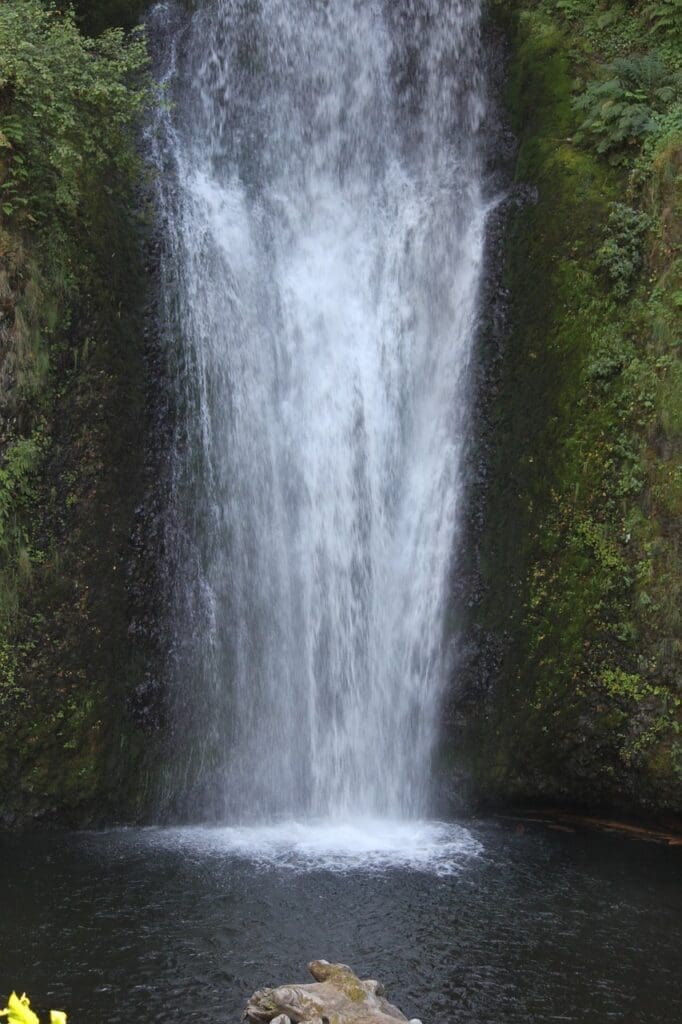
570, 690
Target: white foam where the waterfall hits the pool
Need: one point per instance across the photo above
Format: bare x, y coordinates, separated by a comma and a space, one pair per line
361, 845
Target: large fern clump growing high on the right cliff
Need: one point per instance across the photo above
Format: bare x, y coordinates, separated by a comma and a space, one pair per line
628, 106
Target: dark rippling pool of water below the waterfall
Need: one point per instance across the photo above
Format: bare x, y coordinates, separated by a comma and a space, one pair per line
130, 926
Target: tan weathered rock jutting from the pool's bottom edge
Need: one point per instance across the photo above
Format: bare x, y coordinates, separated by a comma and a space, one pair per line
337, 997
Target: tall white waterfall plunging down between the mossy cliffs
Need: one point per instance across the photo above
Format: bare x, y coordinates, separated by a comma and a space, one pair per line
324, 220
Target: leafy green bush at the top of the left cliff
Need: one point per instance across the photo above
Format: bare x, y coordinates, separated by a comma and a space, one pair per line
69, 110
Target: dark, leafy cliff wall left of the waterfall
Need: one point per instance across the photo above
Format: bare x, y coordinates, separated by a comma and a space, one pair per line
73, 413
